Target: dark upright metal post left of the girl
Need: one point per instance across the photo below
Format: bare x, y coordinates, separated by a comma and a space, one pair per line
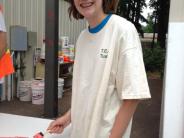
51, 64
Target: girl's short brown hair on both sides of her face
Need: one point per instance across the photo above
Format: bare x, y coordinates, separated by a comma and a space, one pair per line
109, 6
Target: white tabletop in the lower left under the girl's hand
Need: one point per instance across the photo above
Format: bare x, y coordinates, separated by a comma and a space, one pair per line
15, 125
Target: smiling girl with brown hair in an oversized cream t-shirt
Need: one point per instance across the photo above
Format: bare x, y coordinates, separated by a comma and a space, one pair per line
109, 76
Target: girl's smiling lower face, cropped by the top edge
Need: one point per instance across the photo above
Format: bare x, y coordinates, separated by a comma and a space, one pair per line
90, 9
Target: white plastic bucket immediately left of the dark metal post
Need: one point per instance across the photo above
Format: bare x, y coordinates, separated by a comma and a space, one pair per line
37, 92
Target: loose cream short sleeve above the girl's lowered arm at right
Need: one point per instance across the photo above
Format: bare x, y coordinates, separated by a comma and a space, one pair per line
131, 79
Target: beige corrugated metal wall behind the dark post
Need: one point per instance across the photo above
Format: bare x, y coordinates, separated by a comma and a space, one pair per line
31, 13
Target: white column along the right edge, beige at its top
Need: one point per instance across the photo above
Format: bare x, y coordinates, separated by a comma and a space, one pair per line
172, 114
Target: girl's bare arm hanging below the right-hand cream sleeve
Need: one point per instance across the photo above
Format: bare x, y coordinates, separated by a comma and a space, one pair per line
123, 118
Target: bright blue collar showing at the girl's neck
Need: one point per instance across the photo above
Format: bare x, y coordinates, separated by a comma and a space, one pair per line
100, 26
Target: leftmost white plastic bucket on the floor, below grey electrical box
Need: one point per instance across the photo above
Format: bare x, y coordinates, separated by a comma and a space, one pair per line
24, 90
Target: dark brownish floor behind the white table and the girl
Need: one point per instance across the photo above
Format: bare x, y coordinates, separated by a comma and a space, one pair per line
145, 123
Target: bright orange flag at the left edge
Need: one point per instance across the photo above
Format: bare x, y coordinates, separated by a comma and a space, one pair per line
6, 65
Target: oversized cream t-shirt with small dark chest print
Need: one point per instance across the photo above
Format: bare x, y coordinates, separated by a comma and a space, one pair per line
108, 68
